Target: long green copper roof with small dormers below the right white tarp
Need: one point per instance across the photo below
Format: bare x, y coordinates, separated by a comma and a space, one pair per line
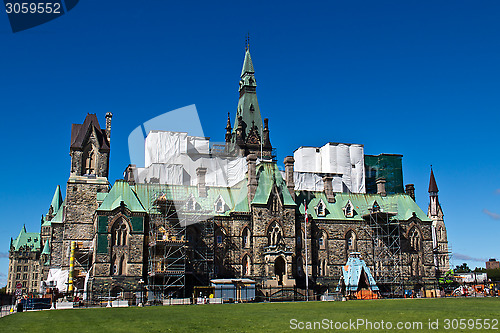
400, 204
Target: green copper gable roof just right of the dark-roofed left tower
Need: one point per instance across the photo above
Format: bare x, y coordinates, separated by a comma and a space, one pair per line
121, 191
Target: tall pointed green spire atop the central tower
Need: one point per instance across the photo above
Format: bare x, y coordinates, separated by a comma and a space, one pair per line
248, 106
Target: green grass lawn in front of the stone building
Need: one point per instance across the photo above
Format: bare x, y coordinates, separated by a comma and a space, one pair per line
260, 317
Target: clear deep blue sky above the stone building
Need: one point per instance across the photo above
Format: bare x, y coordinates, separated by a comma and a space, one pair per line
418, 78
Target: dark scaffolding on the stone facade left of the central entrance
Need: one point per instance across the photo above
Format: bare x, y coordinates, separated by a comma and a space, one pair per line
178, 249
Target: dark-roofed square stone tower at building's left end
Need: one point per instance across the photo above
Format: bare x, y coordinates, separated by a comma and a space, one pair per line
89, 151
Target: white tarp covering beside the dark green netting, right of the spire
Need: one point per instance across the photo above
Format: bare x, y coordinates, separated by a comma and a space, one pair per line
344, 162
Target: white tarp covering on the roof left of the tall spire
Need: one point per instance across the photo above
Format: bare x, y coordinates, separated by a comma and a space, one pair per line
172, 158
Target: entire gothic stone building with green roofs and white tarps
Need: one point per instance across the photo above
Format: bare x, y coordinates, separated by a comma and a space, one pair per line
171, 226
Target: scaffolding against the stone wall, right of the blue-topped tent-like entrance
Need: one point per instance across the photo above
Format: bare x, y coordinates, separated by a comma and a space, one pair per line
383, 227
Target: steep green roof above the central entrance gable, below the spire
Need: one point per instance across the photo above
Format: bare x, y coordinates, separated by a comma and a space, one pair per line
269, 175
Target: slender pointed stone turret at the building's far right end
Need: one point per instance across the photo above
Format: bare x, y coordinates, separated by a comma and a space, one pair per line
439, 236
